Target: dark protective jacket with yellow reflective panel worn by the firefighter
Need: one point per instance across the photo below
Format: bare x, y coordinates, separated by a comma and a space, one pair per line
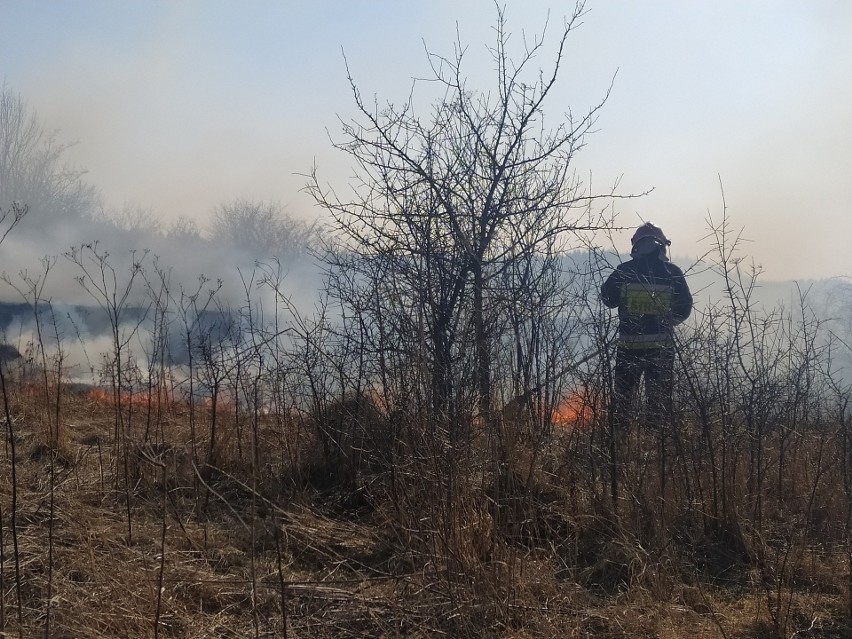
652, 298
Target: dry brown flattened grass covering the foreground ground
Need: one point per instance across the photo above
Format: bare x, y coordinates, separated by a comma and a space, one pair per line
279, 551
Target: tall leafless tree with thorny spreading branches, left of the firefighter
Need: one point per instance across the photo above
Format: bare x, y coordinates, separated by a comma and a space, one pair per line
444, 208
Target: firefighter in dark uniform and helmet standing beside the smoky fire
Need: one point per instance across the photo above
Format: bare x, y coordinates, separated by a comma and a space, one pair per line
652, 297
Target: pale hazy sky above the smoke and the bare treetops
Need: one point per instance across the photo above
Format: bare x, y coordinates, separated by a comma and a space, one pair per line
178, 106
